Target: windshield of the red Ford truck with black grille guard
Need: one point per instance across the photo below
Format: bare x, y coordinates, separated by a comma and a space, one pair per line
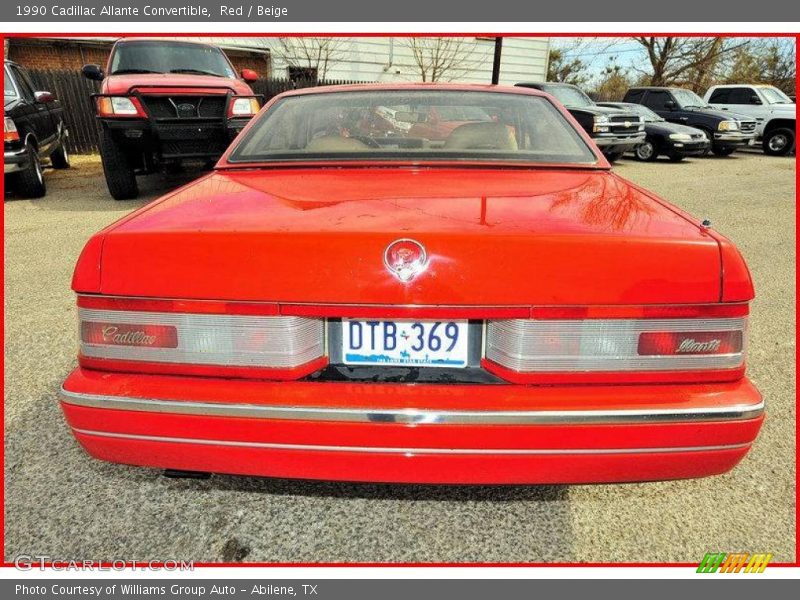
169, 57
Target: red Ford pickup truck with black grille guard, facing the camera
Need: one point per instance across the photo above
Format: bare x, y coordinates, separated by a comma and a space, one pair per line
165, 102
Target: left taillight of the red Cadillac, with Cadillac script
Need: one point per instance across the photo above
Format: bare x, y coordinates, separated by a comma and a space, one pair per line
200, 344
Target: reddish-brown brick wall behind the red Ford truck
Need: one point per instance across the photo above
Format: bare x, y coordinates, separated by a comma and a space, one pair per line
69, 56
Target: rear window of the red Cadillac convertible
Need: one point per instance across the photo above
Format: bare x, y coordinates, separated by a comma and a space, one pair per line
413, 125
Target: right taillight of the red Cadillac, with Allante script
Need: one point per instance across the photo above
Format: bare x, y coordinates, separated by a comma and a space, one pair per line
601, 349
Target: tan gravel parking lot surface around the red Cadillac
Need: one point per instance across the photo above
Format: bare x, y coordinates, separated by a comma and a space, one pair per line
61, 503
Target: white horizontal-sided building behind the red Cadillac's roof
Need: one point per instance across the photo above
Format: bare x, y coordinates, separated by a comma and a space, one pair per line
386, 59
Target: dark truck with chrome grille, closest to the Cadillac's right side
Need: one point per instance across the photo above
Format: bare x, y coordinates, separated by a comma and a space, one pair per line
614, 131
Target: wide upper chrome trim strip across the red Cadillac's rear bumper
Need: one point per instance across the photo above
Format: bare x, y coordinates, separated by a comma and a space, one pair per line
415, 416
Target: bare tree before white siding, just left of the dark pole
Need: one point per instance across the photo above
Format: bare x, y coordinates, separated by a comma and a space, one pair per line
441, 59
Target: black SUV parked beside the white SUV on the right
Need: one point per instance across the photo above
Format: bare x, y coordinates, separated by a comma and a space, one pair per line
726, 130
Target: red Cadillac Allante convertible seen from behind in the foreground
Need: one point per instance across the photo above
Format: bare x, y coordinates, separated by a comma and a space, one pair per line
335, 302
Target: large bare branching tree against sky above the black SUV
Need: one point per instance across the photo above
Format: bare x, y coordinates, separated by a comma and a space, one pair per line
686, 61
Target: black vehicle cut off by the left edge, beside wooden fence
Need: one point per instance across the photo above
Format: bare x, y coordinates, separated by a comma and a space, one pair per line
34, 132
